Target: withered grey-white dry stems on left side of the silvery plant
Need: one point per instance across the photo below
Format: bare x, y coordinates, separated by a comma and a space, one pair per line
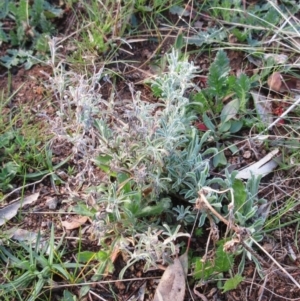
78, 100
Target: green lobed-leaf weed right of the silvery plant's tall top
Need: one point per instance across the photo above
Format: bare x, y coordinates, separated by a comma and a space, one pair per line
222, 120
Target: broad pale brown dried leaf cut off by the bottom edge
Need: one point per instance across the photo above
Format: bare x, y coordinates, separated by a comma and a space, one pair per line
172, 284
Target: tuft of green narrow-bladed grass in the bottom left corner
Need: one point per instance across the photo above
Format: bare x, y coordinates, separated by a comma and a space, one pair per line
34, 267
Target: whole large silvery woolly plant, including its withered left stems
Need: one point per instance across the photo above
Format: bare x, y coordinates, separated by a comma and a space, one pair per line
149, 151
